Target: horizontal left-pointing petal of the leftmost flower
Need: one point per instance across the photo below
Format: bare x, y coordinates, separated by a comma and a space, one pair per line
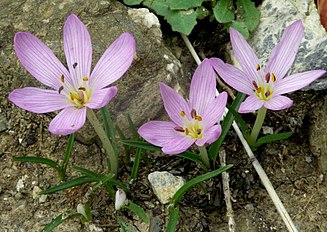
38, 100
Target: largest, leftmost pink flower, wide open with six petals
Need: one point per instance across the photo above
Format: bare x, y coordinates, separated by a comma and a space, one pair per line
76, 89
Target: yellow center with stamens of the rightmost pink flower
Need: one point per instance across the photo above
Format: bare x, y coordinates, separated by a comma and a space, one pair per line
264, 91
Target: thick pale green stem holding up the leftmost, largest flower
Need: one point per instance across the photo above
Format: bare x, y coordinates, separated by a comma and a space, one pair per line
112, 158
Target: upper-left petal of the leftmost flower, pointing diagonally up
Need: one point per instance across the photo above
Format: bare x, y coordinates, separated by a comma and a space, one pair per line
39, 60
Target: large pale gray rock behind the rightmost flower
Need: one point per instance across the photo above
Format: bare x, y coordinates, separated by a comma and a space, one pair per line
276, 15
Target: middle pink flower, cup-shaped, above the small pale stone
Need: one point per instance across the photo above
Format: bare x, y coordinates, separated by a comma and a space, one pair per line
193, 121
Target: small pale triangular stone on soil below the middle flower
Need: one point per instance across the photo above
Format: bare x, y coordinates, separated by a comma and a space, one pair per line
165, 185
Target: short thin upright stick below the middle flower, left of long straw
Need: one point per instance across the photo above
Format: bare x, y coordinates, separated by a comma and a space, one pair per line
229, 208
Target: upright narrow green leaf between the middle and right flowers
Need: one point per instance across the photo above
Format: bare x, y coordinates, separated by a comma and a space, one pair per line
226, 124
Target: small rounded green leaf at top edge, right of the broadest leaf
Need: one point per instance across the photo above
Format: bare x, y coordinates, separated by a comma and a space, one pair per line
224, 11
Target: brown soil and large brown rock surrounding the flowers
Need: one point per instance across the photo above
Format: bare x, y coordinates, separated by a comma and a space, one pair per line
296, 167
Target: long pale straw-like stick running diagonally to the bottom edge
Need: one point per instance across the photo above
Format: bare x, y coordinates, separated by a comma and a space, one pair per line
262, 174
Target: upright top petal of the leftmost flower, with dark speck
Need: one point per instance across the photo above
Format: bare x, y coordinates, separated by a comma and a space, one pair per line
78, 49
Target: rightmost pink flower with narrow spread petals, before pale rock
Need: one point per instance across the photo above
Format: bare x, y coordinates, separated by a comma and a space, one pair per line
265, 87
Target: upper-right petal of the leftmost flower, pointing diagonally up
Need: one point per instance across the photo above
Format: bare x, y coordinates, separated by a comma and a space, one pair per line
114, 62
